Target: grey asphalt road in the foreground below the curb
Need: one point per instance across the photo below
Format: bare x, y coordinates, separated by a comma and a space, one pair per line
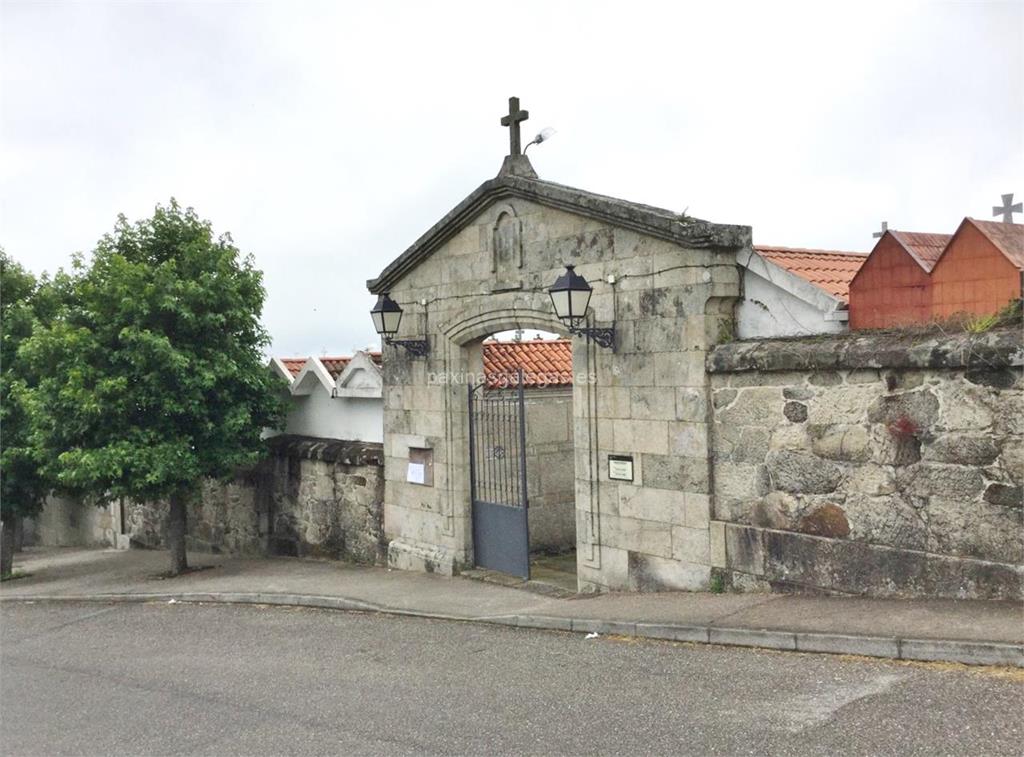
147, 680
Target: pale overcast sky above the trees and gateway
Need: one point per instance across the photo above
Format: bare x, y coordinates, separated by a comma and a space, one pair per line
328, 138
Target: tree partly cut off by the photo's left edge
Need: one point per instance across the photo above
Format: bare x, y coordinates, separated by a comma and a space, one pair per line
23, 487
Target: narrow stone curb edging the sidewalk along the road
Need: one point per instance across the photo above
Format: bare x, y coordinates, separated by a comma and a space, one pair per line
948, 651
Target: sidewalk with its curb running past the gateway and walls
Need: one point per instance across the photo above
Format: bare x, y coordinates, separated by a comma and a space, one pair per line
965, 632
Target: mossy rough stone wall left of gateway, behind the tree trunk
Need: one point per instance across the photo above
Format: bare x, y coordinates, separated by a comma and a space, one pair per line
311, 497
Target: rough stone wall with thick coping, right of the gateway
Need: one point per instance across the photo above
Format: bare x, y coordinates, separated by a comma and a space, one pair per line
886, 465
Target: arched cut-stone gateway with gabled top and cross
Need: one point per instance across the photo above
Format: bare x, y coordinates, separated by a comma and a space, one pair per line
667, 282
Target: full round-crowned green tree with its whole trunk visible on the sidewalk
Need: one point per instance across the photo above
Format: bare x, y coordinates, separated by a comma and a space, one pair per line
151, 376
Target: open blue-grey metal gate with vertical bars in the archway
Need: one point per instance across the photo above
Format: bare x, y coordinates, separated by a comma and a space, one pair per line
498, 478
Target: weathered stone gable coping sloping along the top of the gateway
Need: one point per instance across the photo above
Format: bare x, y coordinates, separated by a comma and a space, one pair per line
511, 183
